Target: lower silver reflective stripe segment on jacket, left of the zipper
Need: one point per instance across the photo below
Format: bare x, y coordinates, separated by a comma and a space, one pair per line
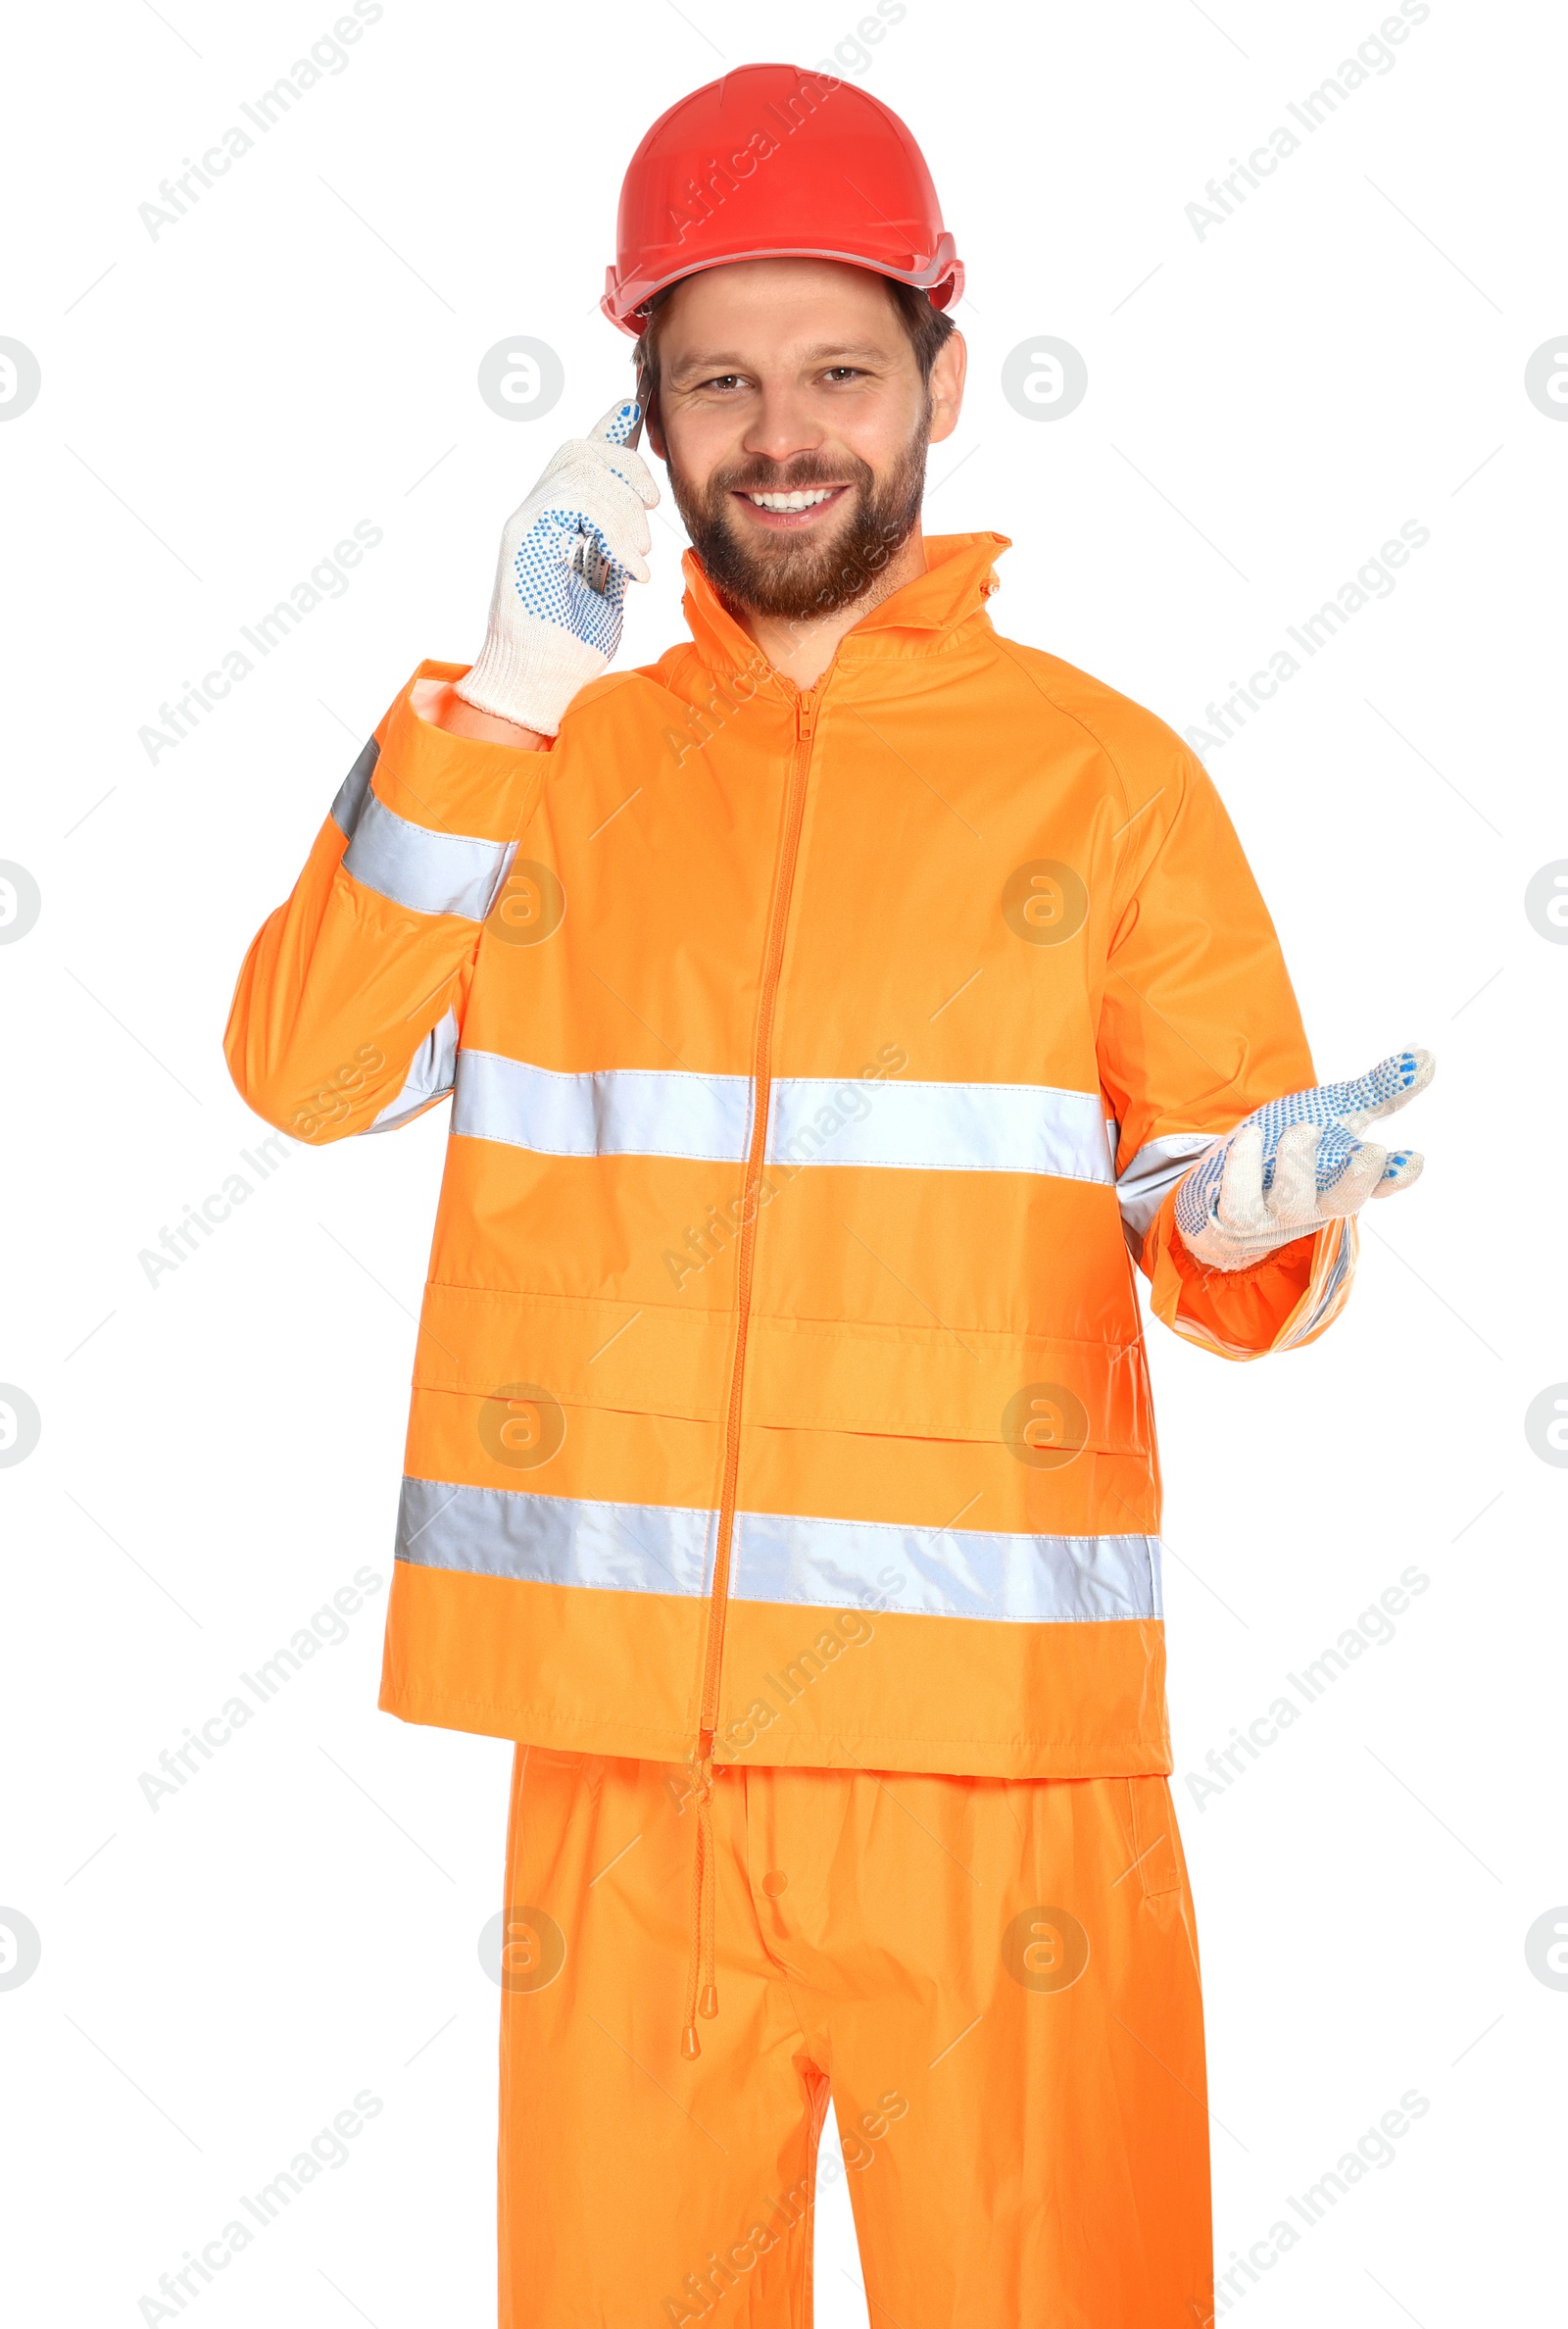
558, 1541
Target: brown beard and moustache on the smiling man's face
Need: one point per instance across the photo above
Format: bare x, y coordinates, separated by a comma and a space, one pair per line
791, 576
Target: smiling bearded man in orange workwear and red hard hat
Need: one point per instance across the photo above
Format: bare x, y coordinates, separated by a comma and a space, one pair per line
831, 1010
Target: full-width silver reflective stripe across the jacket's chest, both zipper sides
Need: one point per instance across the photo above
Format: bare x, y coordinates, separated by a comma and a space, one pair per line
817, 1121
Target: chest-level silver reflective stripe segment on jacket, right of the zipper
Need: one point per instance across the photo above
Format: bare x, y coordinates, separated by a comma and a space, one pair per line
940, 1126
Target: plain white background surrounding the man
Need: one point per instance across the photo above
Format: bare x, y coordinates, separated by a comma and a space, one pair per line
1266, 406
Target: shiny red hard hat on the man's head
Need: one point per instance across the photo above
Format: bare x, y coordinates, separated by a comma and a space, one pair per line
775, 162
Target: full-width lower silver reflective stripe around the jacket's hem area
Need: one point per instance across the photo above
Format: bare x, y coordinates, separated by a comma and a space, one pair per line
777, 1559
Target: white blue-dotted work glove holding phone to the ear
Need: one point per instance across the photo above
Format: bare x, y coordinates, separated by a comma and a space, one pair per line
551, 628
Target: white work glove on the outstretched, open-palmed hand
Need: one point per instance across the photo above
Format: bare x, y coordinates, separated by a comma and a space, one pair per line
1297, 1163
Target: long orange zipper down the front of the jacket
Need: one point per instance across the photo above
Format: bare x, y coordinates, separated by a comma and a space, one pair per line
763, 1086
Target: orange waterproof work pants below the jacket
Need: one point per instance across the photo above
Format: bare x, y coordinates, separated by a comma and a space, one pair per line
994, 1978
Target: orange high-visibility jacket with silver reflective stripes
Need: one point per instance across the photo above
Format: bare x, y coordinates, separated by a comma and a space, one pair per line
817, 1061
